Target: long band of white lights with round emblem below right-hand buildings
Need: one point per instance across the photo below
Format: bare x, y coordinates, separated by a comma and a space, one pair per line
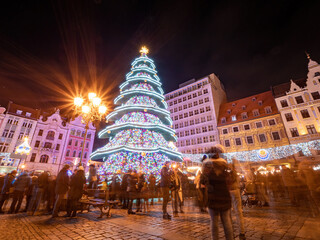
269, 154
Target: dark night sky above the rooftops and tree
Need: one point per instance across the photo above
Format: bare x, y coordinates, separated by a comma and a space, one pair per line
51, 51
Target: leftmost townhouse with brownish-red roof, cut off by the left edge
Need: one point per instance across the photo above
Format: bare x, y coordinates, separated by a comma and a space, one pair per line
18, 122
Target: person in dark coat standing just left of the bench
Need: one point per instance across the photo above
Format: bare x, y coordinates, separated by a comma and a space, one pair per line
76, 190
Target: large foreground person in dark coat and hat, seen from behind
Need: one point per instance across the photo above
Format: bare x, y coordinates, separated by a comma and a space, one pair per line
215, 177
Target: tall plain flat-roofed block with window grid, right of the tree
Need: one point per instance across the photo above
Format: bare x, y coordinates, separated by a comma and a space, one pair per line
194, 109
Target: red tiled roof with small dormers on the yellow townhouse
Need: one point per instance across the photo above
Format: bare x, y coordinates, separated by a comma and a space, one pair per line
256, 102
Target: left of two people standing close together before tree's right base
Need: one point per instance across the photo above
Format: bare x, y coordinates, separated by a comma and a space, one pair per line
176, 191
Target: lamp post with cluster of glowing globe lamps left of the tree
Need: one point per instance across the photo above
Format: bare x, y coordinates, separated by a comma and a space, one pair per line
90, 109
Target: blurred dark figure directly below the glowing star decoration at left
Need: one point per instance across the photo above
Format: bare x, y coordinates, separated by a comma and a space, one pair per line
20, 186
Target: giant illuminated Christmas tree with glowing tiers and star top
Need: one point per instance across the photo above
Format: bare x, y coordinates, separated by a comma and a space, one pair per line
141, 137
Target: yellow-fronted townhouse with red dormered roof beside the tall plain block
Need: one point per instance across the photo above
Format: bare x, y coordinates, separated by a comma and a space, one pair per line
251, 124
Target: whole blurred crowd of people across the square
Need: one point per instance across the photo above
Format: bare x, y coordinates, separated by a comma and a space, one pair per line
218, 188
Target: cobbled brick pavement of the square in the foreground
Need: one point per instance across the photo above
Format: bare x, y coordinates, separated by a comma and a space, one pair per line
275, 222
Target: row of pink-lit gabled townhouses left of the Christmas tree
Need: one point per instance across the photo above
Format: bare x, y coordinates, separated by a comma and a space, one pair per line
54, 141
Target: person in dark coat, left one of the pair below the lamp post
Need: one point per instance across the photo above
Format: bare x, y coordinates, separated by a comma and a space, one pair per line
62, 187
